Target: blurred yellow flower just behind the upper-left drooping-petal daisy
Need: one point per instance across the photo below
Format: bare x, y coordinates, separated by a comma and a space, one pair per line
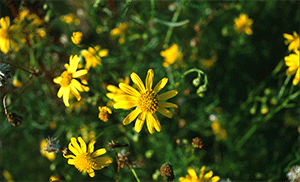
93, 56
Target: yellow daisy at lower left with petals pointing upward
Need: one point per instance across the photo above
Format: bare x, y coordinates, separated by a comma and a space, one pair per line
84, 159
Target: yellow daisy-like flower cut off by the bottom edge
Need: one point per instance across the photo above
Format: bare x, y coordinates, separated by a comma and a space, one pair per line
192, 176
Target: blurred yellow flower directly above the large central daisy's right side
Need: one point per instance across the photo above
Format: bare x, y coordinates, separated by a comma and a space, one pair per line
171, 55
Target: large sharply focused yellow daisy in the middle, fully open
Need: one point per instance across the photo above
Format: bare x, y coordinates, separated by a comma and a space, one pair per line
146, 100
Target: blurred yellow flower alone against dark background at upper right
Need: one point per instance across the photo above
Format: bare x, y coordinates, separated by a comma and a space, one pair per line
243, 24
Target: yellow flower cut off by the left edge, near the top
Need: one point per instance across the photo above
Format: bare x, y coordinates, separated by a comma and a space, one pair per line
6, 32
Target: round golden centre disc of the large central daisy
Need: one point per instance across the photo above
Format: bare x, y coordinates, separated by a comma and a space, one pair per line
148, 101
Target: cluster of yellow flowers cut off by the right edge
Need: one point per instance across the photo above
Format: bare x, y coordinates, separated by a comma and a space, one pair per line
292, 60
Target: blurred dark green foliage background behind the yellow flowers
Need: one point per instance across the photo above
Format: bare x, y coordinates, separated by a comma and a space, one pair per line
255, 147
